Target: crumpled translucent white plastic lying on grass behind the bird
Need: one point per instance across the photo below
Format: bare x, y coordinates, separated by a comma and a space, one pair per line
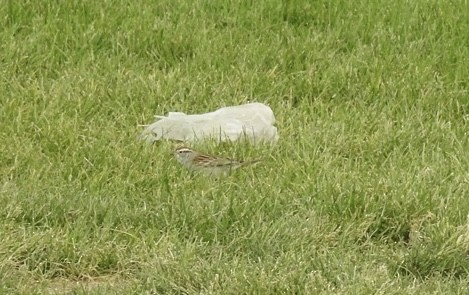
252, 121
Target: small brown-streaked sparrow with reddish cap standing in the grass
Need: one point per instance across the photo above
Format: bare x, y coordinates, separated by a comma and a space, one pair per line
208, 164
